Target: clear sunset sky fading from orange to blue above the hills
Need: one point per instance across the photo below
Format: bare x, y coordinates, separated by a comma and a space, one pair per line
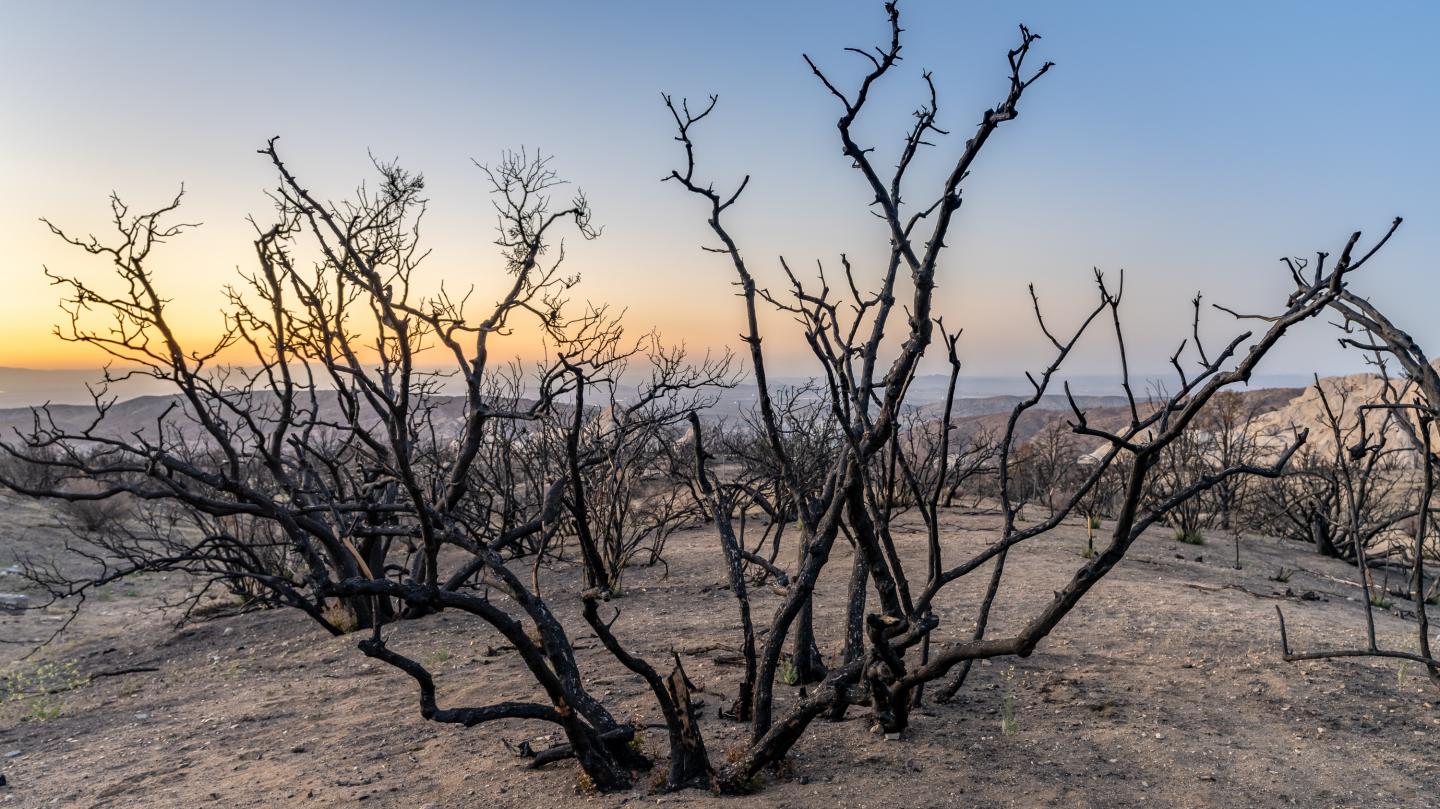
1192, 145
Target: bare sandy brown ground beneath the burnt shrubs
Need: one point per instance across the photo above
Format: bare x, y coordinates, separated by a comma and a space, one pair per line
1164, 689
